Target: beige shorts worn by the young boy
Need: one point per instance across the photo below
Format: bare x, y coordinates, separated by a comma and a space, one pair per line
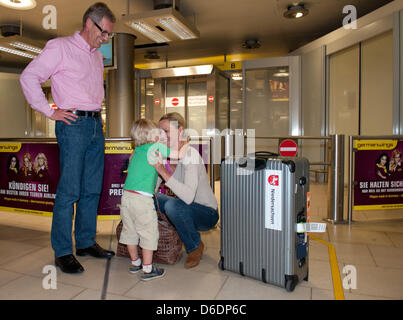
140, 221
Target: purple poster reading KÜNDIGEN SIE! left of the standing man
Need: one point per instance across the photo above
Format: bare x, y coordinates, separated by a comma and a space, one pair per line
29, 176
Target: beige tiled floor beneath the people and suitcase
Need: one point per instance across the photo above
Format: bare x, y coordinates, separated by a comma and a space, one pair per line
373, 244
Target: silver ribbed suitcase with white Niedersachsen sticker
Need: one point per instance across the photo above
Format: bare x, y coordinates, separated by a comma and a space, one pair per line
263, 197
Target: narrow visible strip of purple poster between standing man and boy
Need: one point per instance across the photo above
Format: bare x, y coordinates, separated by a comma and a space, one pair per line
117, 156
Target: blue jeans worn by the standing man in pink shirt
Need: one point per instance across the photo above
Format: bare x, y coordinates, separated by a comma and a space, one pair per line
81, 147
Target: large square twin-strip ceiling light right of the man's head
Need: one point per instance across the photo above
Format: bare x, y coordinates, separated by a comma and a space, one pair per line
162, 25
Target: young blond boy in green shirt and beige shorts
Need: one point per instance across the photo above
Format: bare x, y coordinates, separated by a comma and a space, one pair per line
140, 222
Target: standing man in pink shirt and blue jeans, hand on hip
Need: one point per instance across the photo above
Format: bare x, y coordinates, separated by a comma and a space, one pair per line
75, 68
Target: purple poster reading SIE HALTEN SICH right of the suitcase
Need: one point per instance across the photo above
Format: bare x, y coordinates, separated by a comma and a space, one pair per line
378, 174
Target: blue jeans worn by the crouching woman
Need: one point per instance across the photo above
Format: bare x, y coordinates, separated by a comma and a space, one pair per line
188, 219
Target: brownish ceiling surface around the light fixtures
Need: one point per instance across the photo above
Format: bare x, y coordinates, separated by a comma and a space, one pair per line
223, 24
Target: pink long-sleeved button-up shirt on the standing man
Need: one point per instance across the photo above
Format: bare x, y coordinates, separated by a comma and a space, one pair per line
76, 74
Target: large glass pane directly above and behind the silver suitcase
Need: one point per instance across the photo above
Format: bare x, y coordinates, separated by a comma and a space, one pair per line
272, 99
